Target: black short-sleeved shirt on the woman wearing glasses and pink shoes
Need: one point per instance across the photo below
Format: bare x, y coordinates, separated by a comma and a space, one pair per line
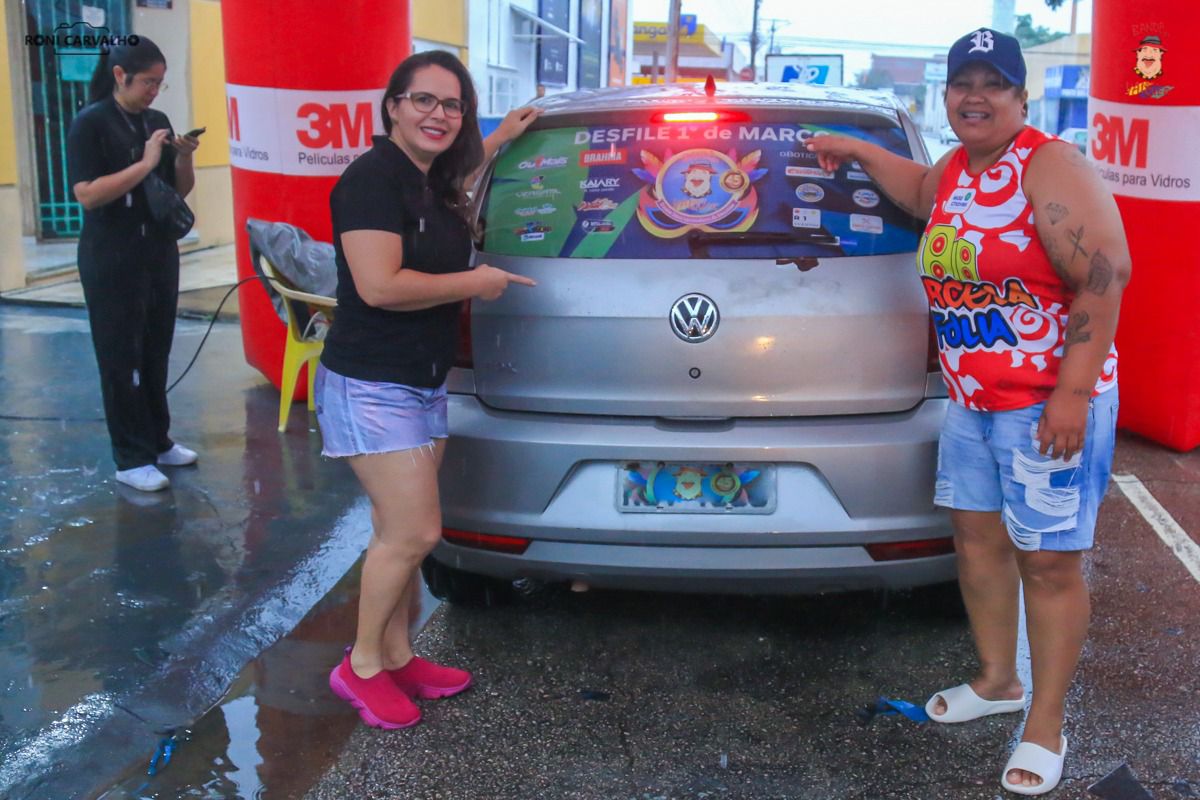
383, 190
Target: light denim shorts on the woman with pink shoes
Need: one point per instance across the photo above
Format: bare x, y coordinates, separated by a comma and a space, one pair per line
359, 418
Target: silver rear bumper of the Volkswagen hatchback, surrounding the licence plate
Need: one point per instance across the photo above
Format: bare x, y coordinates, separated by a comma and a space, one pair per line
842, 484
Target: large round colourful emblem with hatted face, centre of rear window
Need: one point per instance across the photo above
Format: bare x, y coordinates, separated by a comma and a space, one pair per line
698, 189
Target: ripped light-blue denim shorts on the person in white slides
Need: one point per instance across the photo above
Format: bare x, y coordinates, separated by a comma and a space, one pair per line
988, 461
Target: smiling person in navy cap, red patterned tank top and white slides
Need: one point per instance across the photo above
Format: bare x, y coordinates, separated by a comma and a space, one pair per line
1024, 262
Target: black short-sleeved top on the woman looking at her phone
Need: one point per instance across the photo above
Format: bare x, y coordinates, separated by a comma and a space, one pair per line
105, 140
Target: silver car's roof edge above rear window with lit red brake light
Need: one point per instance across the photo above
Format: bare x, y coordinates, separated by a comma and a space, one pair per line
761, 95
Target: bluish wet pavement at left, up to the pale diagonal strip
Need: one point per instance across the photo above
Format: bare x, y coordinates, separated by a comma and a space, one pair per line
123, 615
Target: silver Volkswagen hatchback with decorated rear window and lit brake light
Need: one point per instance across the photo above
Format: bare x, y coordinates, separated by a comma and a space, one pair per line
725, 380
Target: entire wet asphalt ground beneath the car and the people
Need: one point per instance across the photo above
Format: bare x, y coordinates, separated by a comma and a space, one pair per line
124, 617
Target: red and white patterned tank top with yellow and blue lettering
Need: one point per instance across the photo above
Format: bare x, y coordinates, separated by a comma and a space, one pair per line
999, 308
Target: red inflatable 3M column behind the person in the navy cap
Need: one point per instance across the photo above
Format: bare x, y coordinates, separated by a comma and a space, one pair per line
1144, 125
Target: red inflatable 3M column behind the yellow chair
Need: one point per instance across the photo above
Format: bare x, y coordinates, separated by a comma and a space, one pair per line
304, 89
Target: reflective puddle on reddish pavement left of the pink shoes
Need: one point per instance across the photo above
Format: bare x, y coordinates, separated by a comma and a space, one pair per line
279, 730
